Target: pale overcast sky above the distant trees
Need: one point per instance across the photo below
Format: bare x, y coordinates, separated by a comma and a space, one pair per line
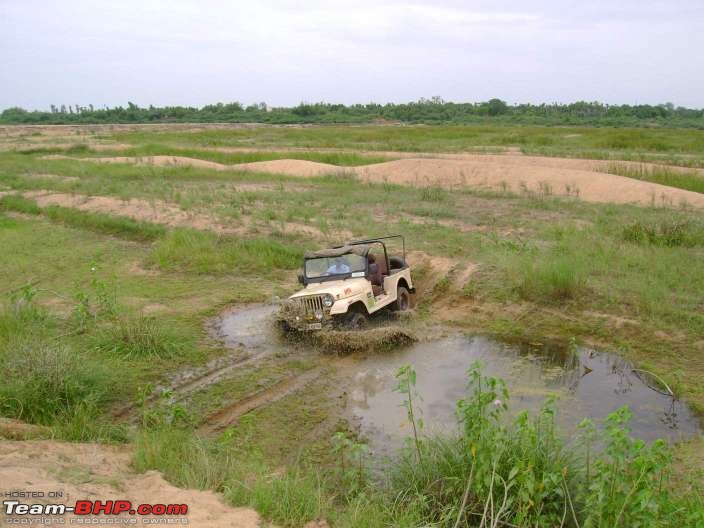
195, 52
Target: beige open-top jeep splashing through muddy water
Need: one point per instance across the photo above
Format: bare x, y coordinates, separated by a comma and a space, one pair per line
344, 285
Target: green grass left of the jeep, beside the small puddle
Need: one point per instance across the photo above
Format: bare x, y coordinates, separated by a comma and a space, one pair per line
93, 349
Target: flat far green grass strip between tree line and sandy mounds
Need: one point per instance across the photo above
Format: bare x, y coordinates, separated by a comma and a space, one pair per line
677, 145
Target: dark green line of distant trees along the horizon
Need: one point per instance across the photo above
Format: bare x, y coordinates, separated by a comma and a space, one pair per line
432, 111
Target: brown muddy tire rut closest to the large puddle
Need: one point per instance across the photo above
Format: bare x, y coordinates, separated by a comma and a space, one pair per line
230, 414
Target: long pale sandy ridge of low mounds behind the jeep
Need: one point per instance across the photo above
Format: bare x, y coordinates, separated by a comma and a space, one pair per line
523, 174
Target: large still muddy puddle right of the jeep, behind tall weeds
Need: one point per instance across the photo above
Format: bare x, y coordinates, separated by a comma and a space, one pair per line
588, 384
